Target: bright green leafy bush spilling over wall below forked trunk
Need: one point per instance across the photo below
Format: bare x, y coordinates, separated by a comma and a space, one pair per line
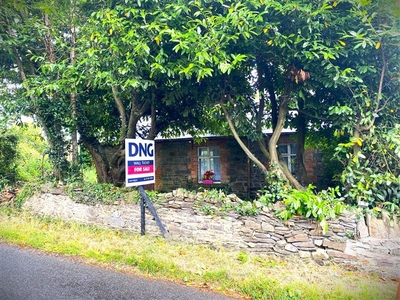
322, 206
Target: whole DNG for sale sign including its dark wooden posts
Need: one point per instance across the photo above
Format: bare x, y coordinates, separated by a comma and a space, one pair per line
139, 171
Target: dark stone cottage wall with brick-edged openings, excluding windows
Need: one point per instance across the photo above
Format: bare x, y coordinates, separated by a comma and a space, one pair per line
177, 165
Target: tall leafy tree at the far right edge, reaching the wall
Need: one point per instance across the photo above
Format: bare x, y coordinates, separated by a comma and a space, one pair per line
371, 119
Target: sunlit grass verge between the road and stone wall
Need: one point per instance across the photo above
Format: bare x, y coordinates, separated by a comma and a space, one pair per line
236, 273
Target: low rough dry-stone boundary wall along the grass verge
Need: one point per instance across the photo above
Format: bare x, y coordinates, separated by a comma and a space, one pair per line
182, 213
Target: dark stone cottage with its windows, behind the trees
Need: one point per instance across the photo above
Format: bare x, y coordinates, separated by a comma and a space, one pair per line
180, 162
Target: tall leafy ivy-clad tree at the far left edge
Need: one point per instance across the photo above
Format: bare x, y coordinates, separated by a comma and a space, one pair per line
30, 35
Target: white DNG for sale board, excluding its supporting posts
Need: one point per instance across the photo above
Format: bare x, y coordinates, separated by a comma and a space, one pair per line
139, 162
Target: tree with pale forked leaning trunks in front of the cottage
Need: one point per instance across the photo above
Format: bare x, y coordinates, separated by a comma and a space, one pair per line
281, 41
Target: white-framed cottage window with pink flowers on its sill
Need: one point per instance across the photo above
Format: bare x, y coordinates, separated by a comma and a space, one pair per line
209, 159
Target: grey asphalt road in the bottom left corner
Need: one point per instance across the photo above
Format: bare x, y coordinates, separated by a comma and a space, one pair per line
29, 275
